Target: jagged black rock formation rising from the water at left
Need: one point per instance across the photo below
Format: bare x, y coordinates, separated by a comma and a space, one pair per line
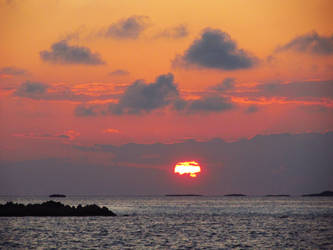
52, 208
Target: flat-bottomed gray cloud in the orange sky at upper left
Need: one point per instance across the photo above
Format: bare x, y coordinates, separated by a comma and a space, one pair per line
63, 53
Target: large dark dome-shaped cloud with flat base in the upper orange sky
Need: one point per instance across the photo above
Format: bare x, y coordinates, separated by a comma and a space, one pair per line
216, 50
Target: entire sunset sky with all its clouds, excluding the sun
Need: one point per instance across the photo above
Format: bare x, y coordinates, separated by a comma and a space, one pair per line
105, 97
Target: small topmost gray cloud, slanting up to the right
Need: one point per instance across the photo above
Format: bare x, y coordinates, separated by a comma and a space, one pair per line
130, 28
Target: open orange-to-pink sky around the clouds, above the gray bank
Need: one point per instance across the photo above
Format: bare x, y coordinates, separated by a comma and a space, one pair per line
259, 27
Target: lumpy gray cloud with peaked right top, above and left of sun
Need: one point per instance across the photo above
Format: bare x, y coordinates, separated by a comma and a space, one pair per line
141, 97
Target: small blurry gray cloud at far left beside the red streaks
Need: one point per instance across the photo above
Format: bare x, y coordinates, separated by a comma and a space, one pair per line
33, 90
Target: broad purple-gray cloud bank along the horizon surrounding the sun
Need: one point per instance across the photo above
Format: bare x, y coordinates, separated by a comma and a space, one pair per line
264, 164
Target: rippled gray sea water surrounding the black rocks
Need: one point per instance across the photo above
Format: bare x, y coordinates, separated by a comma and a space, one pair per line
178, 223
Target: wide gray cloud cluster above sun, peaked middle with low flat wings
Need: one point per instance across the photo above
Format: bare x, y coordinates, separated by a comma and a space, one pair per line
141, 97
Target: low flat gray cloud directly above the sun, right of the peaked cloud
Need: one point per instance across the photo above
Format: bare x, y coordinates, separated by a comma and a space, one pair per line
210, 104
